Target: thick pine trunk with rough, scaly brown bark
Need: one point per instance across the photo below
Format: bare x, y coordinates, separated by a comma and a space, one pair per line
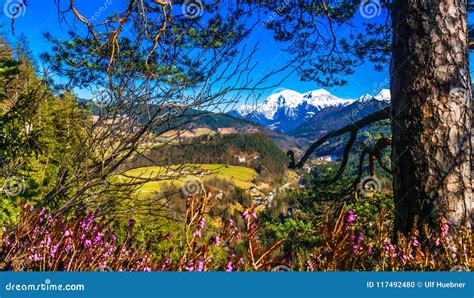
432, 115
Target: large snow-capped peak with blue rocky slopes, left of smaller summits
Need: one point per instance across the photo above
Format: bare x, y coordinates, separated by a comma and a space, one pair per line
285, 110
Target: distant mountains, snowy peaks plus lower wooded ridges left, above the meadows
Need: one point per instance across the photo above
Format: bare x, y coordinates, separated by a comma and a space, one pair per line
291, 119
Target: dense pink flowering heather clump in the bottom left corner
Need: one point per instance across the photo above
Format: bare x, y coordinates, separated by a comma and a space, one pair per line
42, 242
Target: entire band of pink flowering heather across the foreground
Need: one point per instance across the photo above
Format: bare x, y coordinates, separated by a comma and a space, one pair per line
45, 242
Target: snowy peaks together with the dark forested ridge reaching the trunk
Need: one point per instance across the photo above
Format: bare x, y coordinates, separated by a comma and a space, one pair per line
309, 115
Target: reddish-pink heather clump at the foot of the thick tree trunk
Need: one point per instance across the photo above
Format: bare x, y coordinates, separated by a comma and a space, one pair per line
347, 247
